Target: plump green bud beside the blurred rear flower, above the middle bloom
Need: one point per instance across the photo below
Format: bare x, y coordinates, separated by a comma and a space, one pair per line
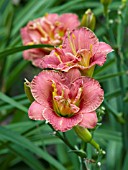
88, 20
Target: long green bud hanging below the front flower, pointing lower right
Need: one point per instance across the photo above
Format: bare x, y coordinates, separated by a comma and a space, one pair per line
86, 136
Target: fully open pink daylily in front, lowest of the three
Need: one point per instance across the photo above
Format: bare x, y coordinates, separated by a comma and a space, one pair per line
65, 99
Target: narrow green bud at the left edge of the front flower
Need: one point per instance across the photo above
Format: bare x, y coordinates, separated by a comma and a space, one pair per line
28, 90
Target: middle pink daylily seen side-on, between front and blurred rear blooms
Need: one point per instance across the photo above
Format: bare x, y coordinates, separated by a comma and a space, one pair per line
80, 49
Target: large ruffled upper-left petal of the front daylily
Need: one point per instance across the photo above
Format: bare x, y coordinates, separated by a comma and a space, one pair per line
41, 86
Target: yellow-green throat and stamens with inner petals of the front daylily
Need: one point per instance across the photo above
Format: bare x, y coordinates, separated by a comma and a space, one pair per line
62, 104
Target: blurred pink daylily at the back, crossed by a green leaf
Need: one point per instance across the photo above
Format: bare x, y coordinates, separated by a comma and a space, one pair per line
49, 29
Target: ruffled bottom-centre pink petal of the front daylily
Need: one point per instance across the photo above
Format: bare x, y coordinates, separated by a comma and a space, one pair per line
61, 123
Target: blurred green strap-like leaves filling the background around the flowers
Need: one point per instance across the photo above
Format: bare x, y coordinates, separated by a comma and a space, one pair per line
27, 144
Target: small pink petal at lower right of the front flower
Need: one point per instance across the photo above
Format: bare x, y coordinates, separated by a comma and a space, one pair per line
89, 120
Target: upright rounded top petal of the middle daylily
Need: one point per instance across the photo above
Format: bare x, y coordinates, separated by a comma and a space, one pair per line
82, 38
